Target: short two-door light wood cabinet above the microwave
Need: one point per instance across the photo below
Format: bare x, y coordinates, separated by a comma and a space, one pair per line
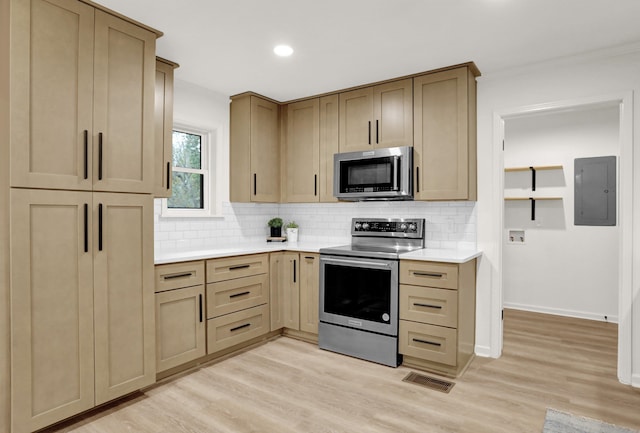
377, 116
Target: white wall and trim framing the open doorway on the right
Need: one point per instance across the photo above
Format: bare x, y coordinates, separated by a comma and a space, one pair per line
611, 75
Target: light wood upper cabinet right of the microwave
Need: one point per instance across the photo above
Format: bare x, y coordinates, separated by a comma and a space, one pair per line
445, 135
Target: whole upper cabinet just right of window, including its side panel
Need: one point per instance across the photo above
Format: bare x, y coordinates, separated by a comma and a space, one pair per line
254, 150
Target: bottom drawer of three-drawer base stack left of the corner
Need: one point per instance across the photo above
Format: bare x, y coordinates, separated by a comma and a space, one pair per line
235, 328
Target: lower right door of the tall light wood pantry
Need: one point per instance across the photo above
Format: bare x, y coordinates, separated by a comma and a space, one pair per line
123, 291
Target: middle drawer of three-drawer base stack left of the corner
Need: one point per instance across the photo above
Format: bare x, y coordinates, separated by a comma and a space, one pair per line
229, 296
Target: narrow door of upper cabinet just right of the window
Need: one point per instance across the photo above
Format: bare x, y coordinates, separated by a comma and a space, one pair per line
265, 151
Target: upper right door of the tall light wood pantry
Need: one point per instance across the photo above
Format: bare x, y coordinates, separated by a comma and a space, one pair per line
124, 83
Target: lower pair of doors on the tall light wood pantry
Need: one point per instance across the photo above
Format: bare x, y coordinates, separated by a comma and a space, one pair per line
82, 302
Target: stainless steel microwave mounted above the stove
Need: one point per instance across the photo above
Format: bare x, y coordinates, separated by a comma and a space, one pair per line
379, 174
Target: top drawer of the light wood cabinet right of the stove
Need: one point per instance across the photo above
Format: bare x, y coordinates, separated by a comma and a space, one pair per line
444, 275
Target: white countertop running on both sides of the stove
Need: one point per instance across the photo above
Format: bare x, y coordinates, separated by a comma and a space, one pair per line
426, 254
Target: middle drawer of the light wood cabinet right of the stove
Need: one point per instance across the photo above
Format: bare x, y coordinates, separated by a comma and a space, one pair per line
429, 305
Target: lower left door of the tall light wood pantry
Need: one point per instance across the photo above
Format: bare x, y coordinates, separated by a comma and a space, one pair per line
52, 355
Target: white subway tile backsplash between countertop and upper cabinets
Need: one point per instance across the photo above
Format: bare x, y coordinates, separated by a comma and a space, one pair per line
448, 224
